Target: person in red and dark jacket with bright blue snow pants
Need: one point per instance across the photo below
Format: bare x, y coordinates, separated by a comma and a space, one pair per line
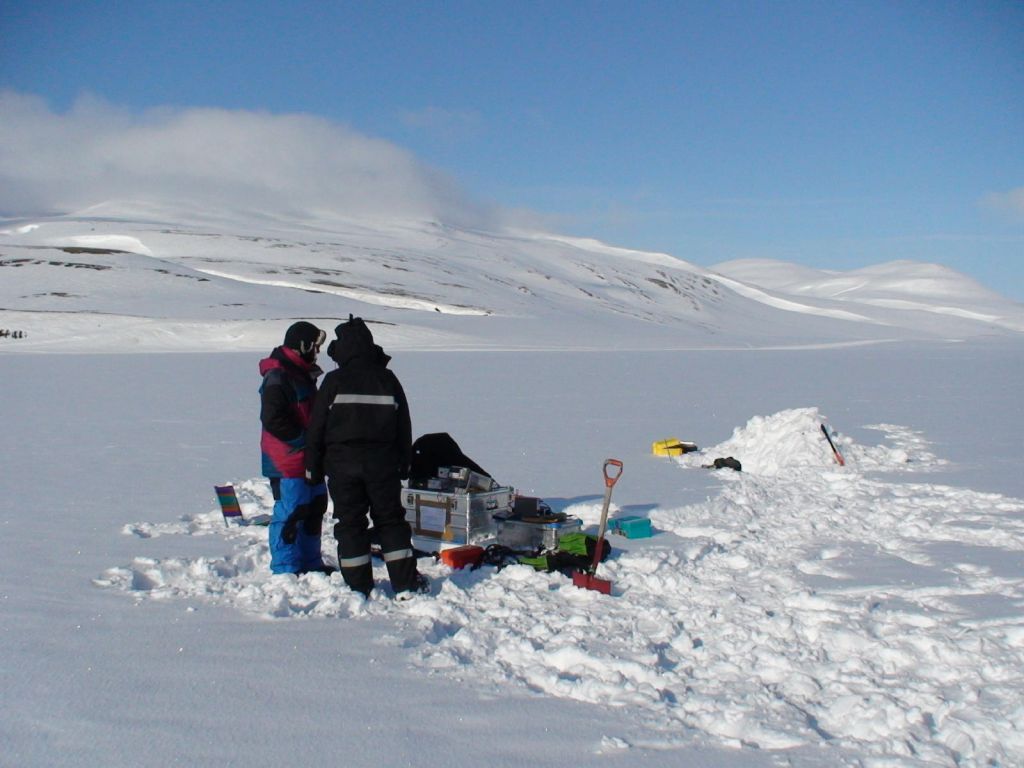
287, 398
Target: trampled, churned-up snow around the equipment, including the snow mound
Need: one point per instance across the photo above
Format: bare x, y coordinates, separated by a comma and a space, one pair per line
846, 614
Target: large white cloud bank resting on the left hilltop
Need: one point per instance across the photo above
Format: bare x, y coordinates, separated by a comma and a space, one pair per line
282, 164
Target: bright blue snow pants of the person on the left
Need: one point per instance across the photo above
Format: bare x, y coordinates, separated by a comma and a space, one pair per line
308, 504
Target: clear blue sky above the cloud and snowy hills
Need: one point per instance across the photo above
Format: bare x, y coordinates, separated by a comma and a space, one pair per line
831, 135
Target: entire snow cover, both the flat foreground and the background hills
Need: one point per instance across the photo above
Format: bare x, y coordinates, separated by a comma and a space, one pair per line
797, 613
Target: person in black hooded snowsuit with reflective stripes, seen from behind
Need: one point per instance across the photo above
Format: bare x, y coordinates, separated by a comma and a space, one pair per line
360, 437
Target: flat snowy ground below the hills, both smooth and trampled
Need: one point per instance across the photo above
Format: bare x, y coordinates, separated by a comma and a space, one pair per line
798, 613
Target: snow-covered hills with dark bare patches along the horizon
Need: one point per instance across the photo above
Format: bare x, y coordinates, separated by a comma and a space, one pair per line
153, 278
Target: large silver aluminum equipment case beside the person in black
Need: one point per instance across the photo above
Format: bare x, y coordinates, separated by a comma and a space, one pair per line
456, 518
